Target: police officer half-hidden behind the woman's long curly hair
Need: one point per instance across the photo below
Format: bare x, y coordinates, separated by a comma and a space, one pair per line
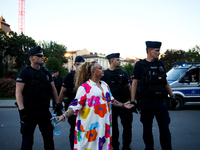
68, 91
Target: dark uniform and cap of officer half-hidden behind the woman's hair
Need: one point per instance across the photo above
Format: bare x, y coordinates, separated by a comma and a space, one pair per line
70, 94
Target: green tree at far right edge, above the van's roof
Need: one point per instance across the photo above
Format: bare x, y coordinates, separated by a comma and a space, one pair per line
193, 55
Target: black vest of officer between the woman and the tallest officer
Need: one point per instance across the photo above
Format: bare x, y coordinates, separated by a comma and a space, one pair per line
117, 84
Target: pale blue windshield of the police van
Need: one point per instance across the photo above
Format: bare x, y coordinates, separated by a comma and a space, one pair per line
175, 73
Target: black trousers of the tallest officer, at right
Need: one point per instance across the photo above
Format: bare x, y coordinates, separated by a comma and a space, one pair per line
157, 108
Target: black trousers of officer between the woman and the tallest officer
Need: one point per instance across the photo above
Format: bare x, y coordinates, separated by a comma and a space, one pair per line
126, 117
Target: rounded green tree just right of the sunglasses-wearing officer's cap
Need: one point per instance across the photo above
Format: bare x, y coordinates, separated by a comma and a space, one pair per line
52, 49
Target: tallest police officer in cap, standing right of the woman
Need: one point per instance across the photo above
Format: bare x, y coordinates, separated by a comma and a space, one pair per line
149, 77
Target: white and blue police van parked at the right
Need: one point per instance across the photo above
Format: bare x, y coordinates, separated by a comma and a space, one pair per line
184, 81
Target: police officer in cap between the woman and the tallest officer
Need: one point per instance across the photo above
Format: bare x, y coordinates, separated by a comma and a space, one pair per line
120, 89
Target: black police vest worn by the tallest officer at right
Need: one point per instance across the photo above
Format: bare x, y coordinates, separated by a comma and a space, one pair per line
154, 78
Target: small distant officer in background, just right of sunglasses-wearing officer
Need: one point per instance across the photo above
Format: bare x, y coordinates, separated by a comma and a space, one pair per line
58, 84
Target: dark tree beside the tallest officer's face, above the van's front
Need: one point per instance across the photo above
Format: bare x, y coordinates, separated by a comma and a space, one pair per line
171, 56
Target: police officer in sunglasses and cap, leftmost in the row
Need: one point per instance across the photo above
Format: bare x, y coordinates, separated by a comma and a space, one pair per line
34, 87
